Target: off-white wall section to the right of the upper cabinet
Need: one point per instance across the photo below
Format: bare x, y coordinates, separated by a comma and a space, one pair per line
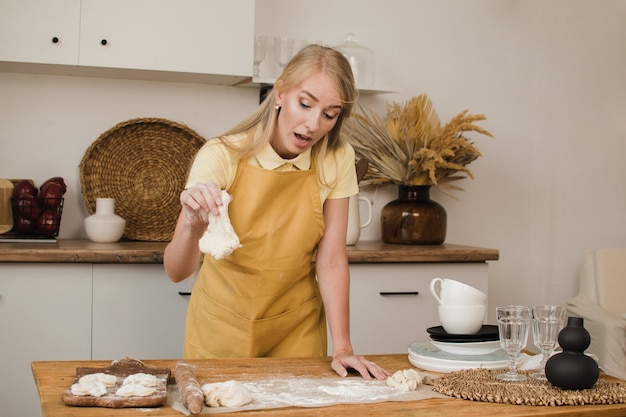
551, 78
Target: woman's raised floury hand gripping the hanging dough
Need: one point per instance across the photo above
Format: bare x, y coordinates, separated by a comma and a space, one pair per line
198, 200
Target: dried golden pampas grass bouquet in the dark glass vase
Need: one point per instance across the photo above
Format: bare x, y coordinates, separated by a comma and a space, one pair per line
410, 147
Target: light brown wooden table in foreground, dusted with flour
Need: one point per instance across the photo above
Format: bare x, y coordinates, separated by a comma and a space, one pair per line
52, 378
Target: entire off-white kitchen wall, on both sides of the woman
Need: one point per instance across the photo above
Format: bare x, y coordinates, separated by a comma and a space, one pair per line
550, 75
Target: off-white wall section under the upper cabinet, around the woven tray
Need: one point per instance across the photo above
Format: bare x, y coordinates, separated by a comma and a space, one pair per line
48, 122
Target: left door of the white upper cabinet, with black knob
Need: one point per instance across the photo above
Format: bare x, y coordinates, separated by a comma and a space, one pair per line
39, 31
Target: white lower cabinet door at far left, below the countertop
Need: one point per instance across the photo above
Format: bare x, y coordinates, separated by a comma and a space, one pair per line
45, 314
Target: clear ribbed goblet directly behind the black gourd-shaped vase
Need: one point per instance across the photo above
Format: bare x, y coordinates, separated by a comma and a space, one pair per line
547, 323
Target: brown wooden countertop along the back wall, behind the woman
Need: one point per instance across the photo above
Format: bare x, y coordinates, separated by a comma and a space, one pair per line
77, 251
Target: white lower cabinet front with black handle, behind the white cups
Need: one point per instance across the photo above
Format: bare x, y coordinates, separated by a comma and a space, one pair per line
391, 305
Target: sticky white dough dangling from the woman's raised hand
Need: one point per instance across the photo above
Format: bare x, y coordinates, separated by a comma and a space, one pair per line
219, 239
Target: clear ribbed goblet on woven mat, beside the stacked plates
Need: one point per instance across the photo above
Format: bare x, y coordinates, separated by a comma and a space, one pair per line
513, 326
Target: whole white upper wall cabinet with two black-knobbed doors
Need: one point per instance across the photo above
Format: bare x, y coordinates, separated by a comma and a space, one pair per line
178, 40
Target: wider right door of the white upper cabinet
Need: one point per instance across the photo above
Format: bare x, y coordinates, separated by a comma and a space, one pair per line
196, 36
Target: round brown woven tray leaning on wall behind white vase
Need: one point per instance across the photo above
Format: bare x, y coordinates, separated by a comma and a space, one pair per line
142, 164
